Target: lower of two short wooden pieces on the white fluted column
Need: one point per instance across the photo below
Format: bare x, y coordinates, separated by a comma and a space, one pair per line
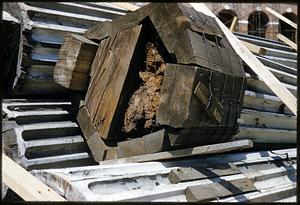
217, 190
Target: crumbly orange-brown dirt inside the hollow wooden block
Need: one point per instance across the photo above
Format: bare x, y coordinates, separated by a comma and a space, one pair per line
144, 102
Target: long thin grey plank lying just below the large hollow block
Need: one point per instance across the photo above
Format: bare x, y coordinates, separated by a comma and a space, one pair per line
201, 150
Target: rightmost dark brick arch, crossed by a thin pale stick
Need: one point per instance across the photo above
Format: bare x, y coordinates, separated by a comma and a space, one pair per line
287, 30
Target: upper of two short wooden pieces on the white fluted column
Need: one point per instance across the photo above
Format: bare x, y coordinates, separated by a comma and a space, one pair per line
201, 172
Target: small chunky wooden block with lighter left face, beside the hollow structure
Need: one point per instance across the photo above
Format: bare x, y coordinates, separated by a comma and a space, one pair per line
74, 62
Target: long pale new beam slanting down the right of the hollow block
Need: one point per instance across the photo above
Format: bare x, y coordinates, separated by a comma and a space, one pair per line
271, 81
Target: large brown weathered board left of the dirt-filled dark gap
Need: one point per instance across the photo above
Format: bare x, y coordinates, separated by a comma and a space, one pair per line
108, 74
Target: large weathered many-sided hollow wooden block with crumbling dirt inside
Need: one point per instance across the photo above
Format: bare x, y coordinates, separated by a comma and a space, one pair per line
174, 71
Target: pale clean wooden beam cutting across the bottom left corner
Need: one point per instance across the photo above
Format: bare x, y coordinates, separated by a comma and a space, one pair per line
25, 184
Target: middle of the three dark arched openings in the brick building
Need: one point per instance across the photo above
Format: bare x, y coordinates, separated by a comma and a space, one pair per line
257, 23
